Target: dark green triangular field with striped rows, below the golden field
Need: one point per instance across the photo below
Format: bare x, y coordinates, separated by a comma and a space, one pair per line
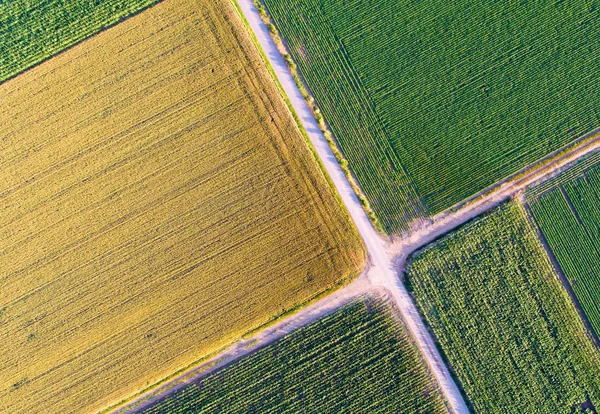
356, 360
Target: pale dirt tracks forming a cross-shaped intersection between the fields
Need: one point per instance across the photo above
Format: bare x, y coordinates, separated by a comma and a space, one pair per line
387, 257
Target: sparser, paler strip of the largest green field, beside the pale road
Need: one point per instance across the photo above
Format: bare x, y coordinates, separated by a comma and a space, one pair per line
349, 111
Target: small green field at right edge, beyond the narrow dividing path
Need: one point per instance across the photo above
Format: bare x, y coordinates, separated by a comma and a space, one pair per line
568, 214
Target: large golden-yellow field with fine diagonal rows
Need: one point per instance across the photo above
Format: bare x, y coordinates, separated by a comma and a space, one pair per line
157, 200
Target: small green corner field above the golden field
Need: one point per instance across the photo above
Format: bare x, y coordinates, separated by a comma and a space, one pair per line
31, 31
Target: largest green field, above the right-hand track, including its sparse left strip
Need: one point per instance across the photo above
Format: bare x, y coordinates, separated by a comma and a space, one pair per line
432, 101
